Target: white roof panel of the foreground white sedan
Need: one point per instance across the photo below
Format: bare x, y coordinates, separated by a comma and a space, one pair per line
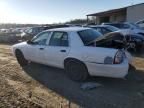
69, 29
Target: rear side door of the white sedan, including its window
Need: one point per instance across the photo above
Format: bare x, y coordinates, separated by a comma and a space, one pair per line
58, 49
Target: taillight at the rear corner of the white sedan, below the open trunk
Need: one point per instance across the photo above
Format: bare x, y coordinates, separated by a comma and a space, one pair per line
118, 57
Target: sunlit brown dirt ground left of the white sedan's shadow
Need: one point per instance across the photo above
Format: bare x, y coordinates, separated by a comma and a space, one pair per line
17, 89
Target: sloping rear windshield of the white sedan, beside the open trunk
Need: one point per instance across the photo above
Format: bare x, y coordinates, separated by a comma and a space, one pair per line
88, 35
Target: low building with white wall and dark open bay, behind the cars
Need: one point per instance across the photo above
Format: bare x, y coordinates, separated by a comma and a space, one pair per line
130, 13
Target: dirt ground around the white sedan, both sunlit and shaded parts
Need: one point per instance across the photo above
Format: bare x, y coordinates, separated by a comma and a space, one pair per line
36, 86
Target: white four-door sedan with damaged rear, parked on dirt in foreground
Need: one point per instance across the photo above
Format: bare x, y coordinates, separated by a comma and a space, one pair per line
69, 49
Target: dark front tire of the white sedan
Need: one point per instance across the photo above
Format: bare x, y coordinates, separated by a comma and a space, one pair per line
20, 58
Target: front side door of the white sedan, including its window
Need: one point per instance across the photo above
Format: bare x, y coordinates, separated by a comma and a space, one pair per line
37, 48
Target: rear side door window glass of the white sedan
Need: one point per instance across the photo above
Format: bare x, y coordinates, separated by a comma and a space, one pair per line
59, 39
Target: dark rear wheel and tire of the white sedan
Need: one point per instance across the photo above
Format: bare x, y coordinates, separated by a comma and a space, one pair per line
76, 70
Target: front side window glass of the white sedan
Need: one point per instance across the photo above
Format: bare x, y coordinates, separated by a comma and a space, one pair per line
41, 38
